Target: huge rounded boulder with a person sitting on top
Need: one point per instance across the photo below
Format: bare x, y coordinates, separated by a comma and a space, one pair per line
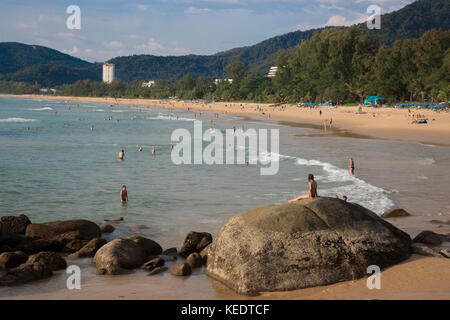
305, 244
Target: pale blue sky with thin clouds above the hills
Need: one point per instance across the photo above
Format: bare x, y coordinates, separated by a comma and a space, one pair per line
111, 28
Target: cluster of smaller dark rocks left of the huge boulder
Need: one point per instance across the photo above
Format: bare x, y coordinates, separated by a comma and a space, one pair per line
33, 251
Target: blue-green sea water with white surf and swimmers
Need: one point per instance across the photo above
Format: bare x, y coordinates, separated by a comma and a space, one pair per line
53, 167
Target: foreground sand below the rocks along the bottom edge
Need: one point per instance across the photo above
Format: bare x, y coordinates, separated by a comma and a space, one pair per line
416, 278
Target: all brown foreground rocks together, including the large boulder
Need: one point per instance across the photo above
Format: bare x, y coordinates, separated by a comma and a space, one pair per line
274, 248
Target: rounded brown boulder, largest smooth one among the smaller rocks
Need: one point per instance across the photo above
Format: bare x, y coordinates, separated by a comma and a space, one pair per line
119, 254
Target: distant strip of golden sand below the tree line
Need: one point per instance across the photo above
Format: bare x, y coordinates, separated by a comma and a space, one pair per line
388, 123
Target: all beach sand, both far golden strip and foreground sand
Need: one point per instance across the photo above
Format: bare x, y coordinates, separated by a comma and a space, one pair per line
417, 278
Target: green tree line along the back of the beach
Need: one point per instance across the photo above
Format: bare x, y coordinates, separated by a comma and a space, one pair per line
337, 65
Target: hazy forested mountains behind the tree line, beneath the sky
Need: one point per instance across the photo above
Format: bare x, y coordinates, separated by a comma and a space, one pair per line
48, 67
